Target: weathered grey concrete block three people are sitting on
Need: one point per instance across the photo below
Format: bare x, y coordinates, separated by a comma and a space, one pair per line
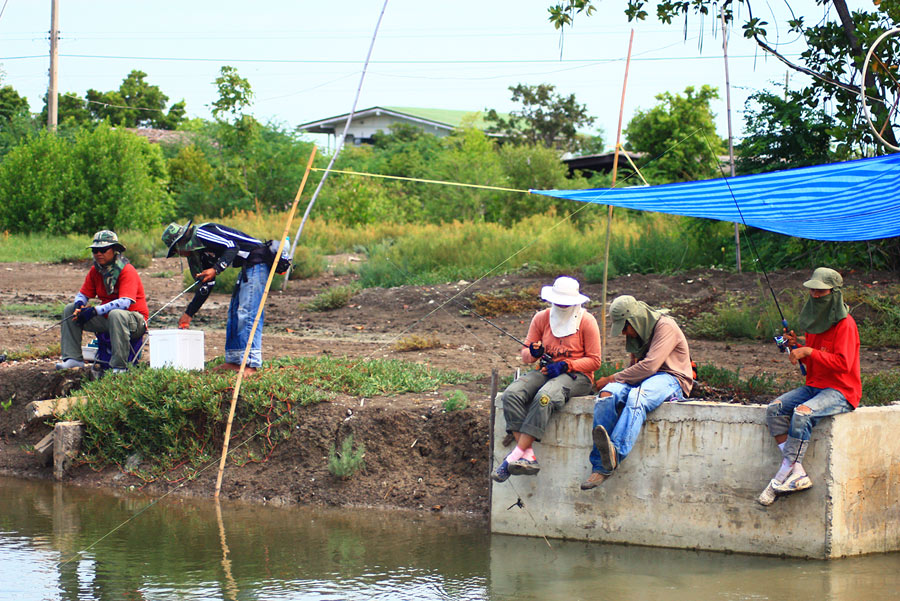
693, 478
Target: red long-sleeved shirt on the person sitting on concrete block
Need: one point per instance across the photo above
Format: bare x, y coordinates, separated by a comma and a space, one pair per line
834, 362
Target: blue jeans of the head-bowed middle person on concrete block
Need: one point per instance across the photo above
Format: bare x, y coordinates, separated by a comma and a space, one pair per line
623, 412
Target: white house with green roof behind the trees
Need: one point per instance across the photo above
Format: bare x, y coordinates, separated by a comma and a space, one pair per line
366, 122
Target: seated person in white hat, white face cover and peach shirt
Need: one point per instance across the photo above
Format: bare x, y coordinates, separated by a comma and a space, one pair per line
565, 340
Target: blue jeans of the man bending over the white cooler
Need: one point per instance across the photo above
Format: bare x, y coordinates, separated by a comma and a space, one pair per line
241, 312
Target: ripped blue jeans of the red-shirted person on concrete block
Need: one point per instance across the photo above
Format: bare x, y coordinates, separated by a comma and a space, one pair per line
782, 416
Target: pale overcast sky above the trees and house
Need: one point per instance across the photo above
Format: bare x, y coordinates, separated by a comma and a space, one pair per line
303, 59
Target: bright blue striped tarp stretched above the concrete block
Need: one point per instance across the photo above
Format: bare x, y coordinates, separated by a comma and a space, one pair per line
855, 200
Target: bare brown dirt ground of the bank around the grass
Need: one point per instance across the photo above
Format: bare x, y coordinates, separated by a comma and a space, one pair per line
417, 456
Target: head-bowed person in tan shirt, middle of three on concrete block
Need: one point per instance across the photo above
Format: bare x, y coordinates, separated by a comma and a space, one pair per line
660, 371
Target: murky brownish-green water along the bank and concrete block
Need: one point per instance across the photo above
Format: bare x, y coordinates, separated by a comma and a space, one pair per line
59, 542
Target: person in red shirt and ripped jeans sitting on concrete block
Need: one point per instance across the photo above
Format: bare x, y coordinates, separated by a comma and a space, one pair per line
833, 385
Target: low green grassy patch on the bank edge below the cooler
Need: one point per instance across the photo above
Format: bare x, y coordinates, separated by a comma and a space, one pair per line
172, 422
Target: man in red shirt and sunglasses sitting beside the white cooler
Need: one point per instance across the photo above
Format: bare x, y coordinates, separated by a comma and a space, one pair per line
123, 312
